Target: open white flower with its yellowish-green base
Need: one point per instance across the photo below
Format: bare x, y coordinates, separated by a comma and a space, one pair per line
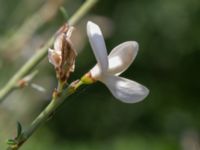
109, 68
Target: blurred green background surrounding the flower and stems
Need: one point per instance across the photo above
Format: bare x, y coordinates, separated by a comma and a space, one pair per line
168, 32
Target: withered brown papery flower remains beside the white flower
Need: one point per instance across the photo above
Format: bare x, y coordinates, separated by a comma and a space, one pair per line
63, 55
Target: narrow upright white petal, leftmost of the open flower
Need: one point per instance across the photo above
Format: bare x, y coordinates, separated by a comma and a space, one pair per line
98, 45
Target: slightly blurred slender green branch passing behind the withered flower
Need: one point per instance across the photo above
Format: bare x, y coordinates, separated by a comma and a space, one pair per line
41, 53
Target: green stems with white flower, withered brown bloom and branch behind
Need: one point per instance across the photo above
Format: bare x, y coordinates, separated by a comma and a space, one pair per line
62, 56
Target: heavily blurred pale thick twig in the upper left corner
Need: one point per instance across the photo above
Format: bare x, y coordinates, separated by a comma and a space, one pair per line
28, 28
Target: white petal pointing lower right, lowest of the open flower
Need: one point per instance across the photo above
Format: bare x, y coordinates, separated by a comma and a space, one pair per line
125, 90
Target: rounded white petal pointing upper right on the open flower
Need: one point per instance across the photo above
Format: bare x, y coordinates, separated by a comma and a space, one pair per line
122, 56
